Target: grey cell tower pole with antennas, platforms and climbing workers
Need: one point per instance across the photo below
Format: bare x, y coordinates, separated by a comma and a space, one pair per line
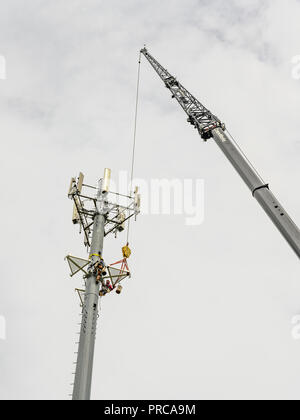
97, 216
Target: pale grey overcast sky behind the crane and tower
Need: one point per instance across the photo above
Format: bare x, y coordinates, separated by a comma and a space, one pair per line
208, 310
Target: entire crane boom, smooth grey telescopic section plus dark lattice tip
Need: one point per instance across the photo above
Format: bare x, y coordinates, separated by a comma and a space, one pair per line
209, 126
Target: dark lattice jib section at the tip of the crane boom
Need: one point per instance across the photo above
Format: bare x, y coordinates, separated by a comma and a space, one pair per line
199, 116
